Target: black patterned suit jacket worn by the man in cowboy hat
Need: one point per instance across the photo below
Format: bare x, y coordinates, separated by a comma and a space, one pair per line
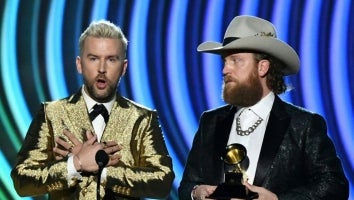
297, 160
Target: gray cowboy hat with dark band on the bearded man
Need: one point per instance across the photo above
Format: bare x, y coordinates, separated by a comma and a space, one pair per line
255, 34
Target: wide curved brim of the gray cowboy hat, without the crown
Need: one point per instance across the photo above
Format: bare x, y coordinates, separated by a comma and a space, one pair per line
269, 45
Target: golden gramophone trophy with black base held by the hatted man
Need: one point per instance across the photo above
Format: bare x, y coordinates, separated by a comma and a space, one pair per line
232, 187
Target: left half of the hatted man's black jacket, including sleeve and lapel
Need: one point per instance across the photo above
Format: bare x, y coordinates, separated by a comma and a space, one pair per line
204, 165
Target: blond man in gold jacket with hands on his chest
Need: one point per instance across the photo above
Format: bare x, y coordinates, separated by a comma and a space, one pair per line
59, 155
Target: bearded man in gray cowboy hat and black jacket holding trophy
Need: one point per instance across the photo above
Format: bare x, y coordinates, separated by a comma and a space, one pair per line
286, 151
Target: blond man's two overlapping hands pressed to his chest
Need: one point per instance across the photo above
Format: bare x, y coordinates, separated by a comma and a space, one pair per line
84, 153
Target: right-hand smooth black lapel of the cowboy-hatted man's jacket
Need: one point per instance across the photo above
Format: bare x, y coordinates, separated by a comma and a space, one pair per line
276, 127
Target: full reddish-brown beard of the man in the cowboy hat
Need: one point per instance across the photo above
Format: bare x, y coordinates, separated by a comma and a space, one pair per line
243, 94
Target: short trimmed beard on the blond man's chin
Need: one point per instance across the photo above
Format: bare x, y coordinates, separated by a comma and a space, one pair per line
101, 96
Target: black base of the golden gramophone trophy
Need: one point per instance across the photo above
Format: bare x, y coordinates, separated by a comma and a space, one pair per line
228, 191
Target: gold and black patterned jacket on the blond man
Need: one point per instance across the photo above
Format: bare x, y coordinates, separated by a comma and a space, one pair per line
145, 169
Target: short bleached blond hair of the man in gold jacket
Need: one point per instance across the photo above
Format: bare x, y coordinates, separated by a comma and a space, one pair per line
103, 29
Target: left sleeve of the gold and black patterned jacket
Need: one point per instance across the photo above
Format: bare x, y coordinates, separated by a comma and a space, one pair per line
36, 171
